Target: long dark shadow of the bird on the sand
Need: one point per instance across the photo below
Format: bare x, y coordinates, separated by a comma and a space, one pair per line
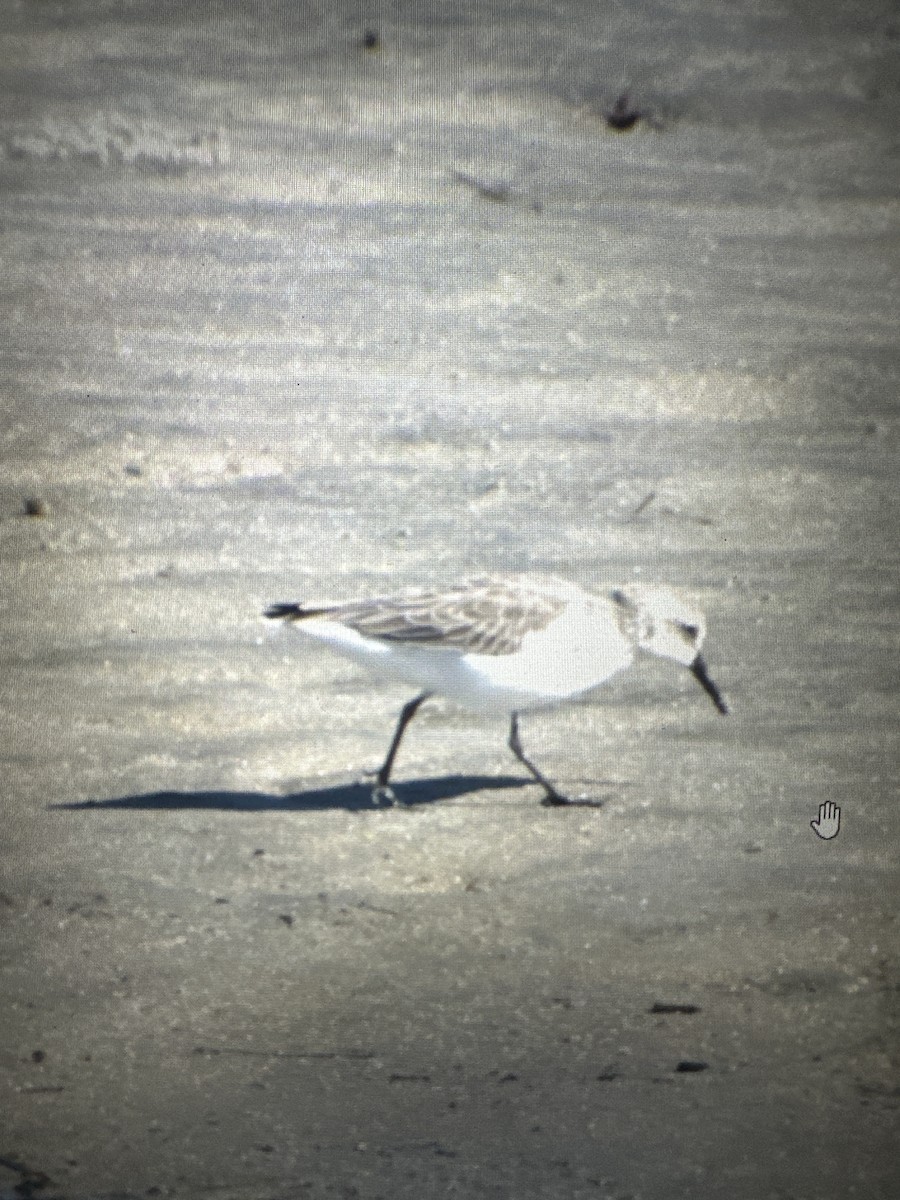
350, 797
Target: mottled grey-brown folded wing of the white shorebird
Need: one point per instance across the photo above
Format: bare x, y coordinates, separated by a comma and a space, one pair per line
481, 619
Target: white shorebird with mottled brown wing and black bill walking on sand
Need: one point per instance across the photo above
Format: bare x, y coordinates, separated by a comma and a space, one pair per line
506, 646
